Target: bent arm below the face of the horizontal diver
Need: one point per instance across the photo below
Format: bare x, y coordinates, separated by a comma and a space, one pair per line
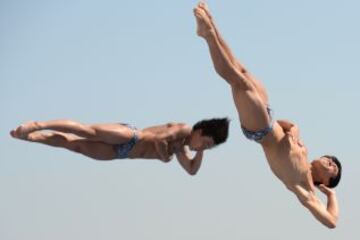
191, 166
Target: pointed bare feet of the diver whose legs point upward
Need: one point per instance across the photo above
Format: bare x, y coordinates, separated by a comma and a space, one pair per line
204, 25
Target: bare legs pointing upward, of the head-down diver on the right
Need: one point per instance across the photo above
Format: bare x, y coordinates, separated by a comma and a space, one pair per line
248, 101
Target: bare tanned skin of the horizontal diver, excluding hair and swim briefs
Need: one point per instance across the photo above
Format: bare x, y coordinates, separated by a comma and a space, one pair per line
98, 141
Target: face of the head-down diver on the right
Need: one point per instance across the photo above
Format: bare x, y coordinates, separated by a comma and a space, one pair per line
326, 168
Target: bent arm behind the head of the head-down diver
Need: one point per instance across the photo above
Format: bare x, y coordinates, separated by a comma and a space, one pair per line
326, 215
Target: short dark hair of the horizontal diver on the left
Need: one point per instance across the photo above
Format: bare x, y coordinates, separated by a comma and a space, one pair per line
216, 128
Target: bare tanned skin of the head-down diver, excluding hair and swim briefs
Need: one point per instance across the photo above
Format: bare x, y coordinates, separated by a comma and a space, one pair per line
285, 152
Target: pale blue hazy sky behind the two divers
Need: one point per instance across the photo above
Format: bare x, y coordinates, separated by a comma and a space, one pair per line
141, 62
